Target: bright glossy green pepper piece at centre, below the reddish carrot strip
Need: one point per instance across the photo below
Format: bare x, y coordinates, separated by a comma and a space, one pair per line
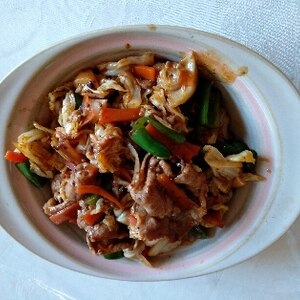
141, 137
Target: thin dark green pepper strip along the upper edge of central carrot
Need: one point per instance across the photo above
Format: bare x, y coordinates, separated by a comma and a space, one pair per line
172, 134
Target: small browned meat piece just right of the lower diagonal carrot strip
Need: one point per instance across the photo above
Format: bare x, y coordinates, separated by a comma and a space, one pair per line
192, 178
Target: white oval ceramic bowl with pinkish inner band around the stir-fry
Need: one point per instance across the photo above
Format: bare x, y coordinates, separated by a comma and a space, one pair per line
264, 107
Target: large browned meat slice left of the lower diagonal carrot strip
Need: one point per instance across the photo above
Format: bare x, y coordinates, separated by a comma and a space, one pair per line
146, 191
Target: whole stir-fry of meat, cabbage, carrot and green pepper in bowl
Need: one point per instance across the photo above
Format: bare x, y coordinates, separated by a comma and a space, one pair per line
139, 155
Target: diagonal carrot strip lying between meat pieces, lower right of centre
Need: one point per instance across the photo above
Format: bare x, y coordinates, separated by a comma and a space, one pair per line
179, 195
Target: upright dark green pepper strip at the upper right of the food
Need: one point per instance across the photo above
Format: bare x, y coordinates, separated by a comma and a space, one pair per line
210, 99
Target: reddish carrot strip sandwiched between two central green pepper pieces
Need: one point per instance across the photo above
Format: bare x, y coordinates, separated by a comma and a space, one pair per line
185, 151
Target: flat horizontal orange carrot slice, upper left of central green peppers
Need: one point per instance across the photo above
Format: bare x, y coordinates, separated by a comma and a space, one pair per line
111, 115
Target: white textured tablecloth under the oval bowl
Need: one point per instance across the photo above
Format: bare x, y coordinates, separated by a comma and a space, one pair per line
270, 27
